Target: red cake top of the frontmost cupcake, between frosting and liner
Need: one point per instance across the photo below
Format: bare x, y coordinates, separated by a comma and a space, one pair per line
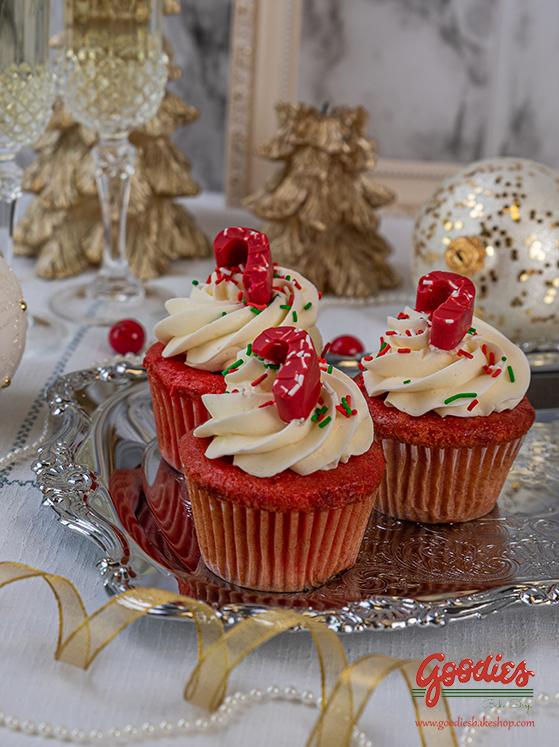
287, 491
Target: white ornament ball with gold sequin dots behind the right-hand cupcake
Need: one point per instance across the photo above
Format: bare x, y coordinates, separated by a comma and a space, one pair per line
497, 221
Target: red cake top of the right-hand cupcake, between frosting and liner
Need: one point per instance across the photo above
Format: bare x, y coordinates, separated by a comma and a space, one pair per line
431, 429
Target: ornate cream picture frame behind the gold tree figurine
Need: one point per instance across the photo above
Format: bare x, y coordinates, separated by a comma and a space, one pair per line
264, 70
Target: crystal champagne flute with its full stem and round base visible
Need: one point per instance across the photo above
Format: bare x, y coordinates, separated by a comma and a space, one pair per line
113, 73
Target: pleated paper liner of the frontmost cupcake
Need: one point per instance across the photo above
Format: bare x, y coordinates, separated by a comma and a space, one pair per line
273, 550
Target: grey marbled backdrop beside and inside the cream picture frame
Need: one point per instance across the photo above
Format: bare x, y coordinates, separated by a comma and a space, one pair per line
443, 80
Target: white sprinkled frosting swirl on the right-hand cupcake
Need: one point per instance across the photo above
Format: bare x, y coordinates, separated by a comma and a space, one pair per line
486, 365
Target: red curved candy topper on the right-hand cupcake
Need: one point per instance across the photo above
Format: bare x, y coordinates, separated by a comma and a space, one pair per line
451, 299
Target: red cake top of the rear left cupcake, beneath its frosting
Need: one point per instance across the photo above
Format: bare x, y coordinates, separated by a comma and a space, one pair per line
175, 376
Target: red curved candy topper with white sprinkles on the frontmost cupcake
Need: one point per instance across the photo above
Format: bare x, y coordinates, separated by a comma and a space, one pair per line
297, 385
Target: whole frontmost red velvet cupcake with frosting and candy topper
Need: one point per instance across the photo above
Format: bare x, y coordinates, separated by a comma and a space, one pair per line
283, 475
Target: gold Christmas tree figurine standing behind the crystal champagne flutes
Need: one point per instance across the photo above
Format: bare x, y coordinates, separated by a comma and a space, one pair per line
62, 226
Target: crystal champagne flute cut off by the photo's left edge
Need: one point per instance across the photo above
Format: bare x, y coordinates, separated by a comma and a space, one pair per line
26, 98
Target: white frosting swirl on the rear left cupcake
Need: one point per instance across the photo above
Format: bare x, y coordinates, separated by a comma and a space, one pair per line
213, 325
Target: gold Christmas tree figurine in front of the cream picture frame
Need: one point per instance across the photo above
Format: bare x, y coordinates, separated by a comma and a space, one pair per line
320, 206
